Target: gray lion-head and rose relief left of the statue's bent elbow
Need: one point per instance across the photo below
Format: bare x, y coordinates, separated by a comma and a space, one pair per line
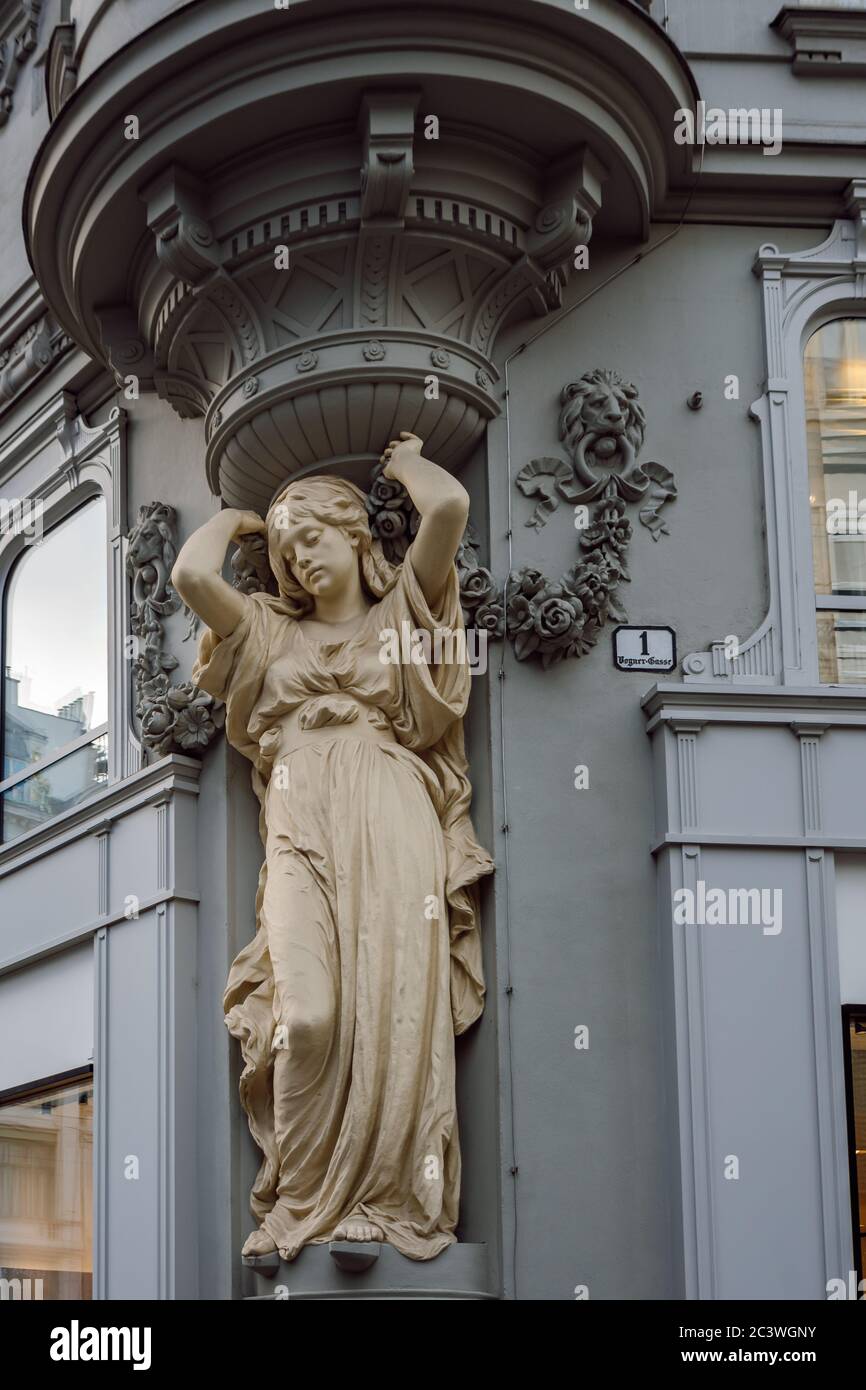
173, 718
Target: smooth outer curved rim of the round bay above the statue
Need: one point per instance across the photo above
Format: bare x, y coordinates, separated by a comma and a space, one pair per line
212, 81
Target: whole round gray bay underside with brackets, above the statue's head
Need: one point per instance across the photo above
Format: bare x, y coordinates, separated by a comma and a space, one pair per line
309, 226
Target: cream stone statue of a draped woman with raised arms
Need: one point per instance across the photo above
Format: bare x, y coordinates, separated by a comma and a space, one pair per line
366, 961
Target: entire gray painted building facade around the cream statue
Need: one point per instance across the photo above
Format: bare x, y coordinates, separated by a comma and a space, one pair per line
154, 258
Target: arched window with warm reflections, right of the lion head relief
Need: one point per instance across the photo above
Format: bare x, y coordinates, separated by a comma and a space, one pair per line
836, 433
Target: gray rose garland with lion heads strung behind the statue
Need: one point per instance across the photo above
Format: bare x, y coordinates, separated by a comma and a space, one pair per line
603, 430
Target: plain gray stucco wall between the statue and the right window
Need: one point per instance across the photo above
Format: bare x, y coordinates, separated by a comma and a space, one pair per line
594, 1189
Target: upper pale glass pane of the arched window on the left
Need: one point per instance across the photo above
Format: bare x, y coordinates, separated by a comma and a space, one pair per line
56, 641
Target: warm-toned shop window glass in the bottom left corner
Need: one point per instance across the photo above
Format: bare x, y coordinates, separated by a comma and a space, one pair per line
47, 1182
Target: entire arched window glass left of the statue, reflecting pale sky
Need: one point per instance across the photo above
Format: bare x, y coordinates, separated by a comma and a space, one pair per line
55, 701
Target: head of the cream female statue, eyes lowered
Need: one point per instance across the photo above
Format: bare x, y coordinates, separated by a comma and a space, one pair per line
319, 539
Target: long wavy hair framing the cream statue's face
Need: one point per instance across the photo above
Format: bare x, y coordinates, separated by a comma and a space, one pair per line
330, 502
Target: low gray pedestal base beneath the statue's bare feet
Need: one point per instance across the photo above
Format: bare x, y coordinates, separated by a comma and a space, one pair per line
461, 1273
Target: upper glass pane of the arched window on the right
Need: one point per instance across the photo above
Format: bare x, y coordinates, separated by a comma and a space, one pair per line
836, 432
